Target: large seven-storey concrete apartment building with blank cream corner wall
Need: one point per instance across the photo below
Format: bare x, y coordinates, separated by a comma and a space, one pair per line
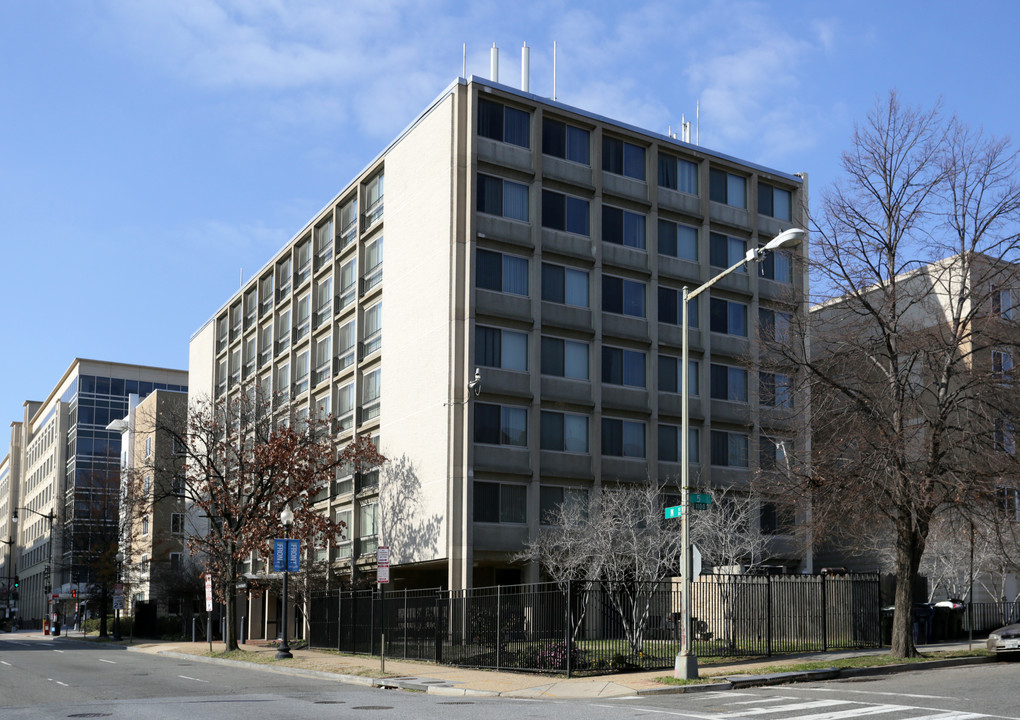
524, 343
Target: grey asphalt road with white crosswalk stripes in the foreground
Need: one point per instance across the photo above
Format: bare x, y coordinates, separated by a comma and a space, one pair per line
84, 681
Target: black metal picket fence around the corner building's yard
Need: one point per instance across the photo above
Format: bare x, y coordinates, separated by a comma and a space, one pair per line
597, 628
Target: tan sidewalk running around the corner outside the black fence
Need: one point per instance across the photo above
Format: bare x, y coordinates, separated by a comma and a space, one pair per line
447, 681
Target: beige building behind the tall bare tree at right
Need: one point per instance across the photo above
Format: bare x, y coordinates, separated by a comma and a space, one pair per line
980, 294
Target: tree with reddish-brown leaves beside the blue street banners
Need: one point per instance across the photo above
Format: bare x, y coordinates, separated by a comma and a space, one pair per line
241, 469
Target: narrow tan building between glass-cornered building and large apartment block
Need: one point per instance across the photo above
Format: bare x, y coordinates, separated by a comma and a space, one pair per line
156, 519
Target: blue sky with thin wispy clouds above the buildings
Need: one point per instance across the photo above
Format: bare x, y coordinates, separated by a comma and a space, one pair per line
150, 152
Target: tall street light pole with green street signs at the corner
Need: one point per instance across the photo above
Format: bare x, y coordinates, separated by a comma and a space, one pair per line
686, 666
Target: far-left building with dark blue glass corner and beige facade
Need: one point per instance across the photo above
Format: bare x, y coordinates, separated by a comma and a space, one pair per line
65, 465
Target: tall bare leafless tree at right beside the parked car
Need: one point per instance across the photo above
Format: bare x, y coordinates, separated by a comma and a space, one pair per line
914, 256
